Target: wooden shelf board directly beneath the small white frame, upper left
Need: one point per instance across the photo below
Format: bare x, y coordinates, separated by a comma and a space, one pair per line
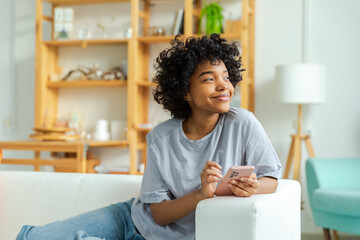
85, 43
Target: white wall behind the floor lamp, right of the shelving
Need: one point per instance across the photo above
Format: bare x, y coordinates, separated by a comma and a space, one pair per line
333, 41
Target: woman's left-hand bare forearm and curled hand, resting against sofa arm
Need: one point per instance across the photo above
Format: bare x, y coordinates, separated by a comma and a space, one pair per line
169, 211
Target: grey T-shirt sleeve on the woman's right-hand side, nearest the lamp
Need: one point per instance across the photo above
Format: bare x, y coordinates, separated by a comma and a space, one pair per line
259, 151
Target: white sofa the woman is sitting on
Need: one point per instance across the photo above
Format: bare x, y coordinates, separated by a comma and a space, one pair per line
38, 198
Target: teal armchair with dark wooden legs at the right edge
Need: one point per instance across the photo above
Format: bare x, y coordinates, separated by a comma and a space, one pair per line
334, 193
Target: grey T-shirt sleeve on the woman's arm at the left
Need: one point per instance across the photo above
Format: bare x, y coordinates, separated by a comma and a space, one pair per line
153, 187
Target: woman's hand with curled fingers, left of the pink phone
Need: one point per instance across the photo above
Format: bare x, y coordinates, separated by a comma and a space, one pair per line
210, 176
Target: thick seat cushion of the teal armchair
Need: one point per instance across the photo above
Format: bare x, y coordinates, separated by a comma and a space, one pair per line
345, 201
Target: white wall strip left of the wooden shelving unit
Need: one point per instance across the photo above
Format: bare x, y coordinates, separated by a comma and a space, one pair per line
17, 44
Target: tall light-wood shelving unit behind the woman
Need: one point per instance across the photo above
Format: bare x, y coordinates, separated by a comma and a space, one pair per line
138, 52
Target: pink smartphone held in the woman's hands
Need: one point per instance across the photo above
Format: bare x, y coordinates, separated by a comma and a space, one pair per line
235, 172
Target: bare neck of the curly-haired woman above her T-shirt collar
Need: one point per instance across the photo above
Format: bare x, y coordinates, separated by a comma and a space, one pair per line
197, 127
